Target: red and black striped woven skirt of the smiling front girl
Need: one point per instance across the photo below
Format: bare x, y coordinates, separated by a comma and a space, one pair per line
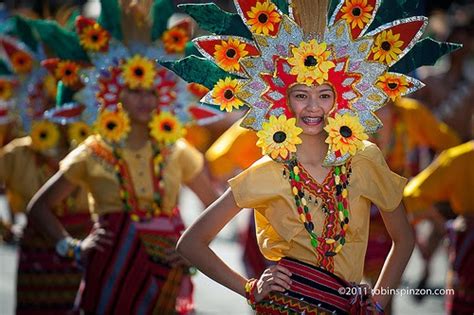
314, 291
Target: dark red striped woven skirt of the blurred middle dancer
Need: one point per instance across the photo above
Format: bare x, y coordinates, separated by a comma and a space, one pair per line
130, 276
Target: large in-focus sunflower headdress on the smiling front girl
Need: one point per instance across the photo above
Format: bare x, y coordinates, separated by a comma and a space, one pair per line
363, 51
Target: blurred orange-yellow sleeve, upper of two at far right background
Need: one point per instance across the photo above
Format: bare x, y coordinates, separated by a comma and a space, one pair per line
428, 130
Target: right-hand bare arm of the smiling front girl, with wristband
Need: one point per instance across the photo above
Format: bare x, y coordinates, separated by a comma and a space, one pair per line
403, 242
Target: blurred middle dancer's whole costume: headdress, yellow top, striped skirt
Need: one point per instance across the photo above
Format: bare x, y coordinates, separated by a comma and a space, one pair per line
134, 192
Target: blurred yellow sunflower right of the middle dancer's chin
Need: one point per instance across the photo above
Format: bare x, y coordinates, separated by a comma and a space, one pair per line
166, 128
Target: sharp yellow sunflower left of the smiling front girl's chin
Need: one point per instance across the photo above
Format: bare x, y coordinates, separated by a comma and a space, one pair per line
279, 137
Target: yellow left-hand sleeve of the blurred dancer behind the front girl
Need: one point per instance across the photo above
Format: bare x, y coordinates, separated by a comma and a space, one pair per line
74, 166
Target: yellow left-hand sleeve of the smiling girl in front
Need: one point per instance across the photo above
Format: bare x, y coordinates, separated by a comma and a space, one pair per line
253, 187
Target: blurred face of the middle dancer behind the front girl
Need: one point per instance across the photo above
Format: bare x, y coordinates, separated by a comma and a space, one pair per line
139, 104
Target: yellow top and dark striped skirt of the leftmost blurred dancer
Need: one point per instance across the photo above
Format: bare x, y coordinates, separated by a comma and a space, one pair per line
44, 281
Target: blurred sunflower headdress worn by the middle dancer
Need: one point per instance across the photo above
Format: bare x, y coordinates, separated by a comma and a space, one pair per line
121, 50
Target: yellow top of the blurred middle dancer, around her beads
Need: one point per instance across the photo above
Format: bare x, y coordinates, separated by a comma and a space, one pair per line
84, 168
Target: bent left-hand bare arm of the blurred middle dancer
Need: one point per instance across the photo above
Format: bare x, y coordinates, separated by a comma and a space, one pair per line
50, 195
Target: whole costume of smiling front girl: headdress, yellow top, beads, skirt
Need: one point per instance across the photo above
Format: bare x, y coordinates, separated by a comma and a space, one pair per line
253, 59
